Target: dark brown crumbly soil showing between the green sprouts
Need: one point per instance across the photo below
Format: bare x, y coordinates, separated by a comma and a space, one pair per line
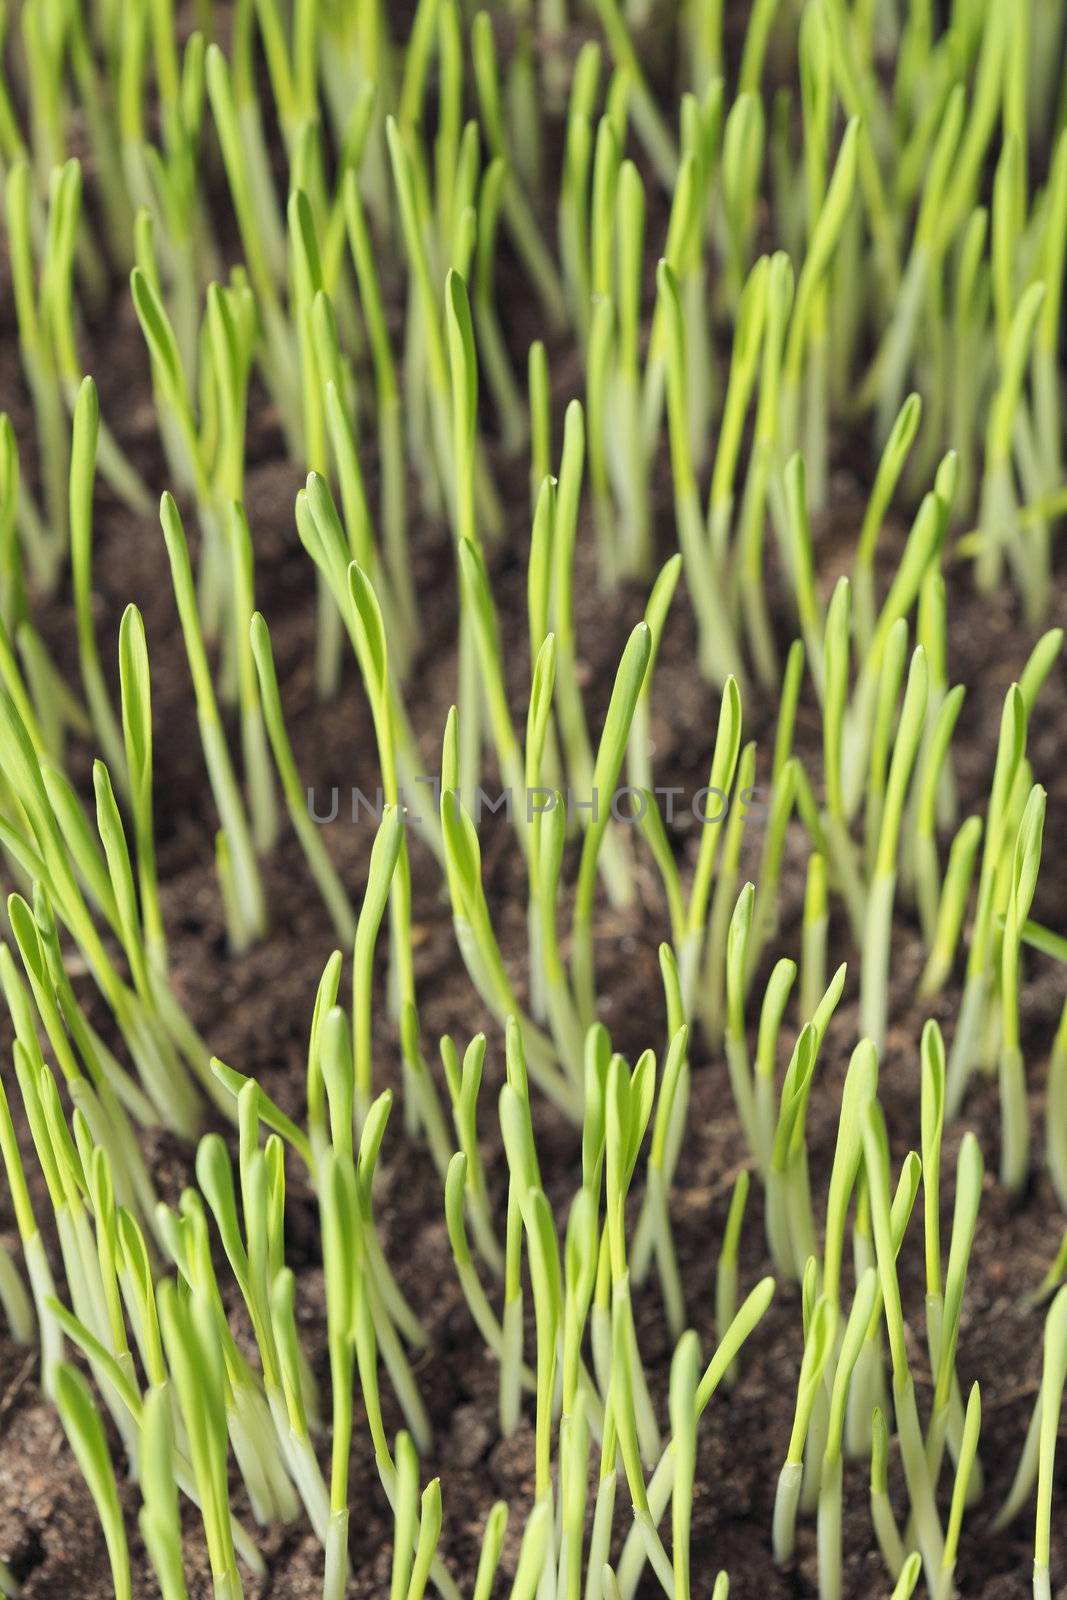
255, 1012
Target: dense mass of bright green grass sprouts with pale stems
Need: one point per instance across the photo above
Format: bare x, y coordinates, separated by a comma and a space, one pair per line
863, 222
